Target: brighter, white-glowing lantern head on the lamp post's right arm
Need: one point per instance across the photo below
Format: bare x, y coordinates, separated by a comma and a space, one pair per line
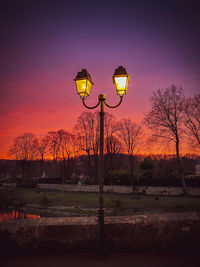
121, 80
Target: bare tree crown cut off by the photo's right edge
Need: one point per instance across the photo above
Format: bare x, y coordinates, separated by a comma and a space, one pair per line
192, 120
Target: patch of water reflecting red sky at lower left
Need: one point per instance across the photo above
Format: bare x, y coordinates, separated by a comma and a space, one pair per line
16, 215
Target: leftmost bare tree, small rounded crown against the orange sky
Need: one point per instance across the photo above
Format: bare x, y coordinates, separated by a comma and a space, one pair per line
24, 149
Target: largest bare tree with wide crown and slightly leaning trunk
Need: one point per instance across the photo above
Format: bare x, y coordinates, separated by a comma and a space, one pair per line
165, 119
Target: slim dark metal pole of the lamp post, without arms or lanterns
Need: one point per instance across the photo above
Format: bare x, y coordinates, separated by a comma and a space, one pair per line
100, 236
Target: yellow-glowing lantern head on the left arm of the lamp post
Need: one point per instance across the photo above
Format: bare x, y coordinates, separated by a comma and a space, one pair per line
83, 83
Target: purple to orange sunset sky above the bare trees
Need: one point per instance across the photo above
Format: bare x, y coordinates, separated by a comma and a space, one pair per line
45, 43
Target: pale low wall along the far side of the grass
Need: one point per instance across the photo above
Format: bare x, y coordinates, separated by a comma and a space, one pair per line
160, 190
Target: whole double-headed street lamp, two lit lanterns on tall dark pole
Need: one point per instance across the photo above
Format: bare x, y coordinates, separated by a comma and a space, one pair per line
84, 84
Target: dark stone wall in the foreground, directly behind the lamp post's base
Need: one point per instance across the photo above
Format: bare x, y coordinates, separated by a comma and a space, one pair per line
150, 232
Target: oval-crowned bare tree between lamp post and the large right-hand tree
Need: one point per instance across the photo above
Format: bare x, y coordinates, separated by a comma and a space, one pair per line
131, 135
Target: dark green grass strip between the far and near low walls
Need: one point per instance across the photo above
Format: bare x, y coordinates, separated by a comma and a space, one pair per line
82, 203
